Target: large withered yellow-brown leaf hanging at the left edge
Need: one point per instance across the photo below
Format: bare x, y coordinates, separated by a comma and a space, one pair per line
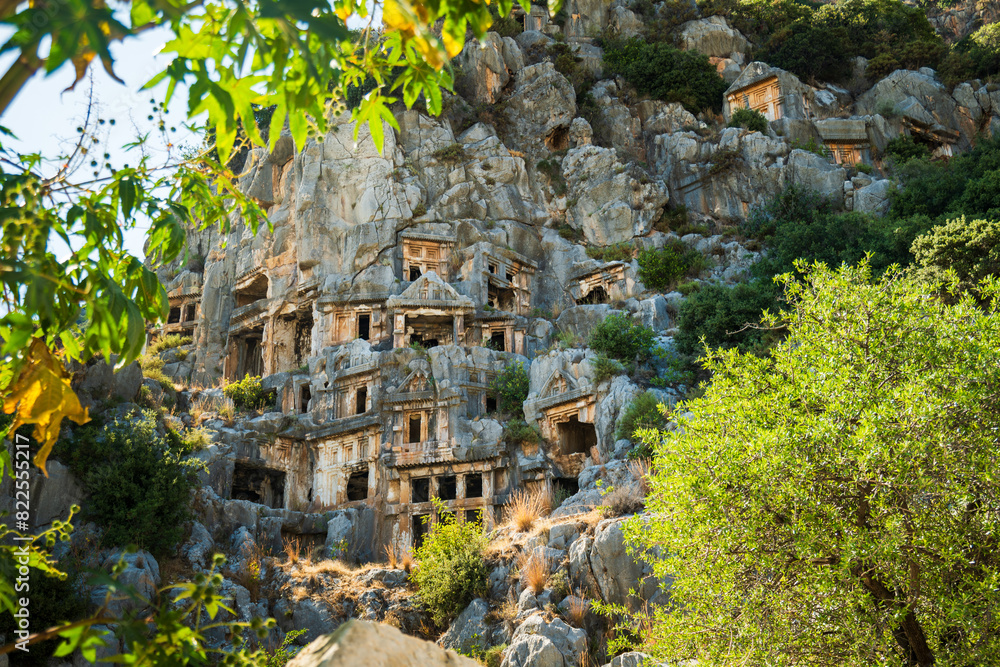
42, 396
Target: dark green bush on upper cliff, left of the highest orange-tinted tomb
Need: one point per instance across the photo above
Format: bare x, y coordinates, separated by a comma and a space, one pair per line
667, 73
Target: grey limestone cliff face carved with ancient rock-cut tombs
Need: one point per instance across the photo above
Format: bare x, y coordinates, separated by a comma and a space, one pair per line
395, 282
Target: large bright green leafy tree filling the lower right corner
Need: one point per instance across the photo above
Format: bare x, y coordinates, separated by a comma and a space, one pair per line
841, 487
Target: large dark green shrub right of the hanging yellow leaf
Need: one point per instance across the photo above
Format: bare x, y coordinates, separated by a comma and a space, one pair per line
139, 486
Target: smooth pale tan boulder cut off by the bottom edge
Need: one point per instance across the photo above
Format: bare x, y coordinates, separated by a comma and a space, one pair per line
364, 643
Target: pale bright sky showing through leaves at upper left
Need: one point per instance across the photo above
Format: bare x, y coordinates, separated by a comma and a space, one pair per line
45, 118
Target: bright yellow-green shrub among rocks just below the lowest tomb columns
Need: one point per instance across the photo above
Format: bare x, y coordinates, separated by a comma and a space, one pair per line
452, 571
